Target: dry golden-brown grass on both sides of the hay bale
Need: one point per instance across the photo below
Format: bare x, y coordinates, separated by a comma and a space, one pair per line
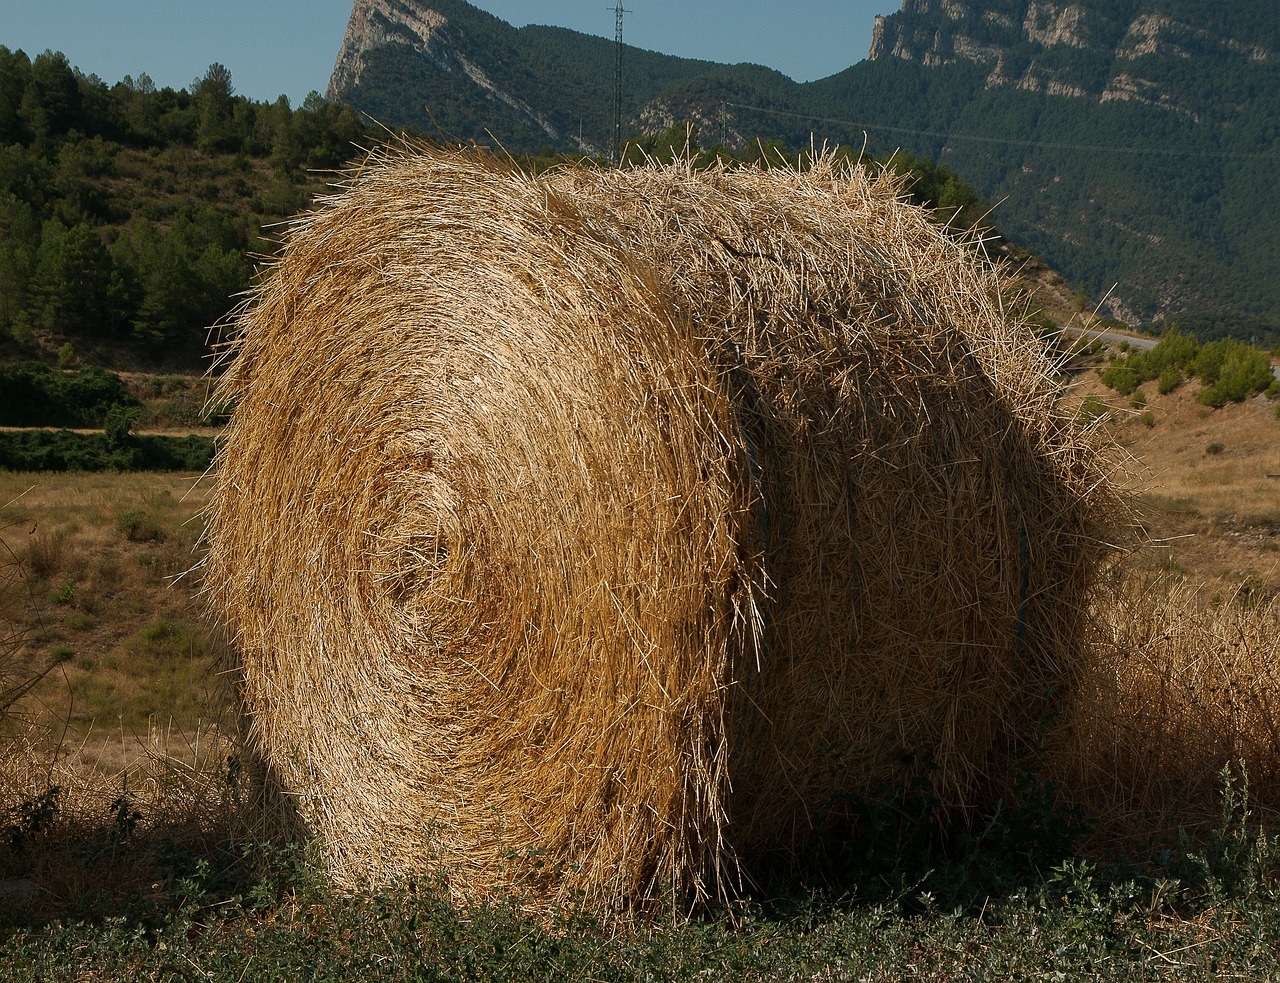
95, 586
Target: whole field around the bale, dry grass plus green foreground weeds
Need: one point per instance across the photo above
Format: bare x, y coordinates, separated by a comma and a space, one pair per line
136, 844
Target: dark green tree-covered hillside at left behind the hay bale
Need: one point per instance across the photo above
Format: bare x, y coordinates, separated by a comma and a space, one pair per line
130, 217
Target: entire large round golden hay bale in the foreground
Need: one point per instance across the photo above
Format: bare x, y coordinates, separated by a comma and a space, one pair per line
600, 533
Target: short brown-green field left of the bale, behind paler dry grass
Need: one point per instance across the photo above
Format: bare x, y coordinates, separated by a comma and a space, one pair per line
97, 591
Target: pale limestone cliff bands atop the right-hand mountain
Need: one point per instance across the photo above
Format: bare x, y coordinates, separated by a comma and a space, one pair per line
1092, 49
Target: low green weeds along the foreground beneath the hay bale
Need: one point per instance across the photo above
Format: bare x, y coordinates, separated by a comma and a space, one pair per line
1210, 904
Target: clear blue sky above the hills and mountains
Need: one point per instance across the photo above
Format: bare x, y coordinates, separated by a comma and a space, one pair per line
290, 47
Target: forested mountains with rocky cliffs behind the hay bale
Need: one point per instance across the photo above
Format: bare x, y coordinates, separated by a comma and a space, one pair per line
1131, 143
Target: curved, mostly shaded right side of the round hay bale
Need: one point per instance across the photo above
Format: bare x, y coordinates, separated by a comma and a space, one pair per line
934, 520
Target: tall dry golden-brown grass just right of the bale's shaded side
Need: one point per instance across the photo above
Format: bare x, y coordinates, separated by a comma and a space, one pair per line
1181, 693
